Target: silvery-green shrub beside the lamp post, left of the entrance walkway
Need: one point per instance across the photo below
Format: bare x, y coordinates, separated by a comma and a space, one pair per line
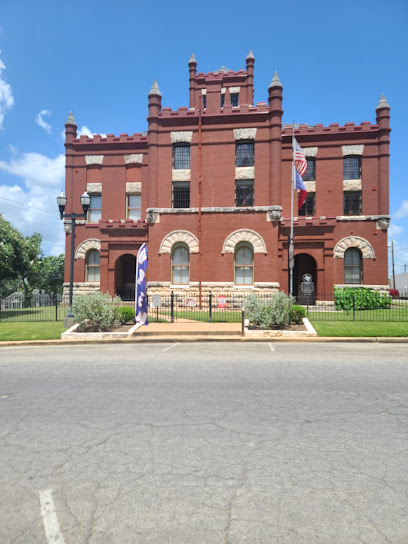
96, 312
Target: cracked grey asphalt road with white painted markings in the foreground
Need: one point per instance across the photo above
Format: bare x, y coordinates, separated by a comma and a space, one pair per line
204, 443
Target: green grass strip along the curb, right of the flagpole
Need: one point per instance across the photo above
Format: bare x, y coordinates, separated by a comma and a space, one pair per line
360, 328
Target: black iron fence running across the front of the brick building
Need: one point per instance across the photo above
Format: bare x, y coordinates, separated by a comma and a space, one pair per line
217, 308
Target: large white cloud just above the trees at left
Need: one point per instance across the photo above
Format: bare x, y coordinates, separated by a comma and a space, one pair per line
32, 207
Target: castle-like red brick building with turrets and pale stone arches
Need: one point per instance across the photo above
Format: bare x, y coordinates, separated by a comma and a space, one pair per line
208, 188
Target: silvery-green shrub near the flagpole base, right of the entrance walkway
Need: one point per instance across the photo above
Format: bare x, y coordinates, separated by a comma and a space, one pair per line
273, 313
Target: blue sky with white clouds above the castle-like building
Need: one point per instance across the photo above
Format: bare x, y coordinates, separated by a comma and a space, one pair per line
99, 60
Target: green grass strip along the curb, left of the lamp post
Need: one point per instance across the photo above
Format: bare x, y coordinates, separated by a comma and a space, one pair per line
31, 331
